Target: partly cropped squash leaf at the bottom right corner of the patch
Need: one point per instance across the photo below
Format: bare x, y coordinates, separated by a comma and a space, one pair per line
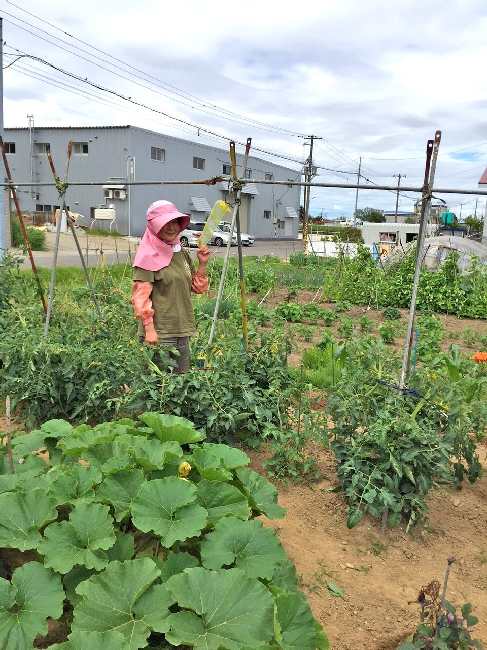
295, 627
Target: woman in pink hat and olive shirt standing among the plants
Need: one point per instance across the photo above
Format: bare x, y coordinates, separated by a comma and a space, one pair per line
164, 277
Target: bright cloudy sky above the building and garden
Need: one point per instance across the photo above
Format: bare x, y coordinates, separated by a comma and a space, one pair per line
372, 79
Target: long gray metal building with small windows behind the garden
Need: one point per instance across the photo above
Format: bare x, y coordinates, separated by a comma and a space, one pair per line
119, 155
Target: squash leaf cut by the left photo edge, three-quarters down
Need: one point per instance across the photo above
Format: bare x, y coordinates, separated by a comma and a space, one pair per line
22, 514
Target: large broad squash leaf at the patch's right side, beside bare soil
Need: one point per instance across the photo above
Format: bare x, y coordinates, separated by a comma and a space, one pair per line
254, 549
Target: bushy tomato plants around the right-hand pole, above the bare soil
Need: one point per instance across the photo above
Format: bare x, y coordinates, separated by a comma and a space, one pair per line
392, 447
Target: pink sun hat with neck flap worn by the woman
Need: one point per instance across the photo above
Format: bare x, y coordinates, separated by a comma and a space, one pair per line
154, 254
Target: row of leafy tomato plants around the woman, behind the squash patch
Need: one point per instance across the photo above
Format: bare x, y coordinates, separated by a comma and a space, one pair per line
89, 369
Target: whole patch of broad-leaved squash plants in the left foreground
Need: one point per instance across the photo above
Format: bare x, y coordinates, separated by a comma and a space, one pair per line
152, 541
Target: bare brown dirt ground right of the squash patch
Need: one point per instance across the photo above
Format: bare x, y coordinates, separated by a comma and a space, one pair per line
380, 573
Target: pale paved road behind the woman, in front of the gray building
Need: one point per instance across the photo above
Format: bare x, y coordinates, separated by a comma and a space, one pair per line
119, 250
